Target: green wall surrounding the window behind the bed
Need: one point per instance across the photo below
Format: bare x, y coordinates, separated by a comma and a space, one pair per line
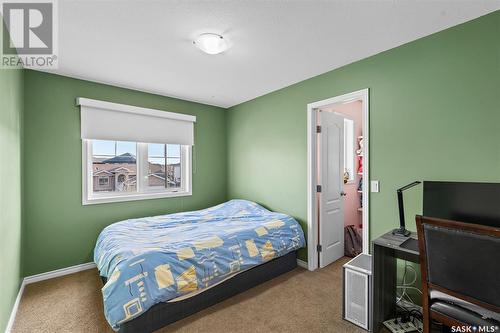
58, 230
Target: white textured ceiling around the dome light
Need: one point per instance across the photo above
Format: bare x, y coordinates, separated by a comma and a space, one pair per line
147, 45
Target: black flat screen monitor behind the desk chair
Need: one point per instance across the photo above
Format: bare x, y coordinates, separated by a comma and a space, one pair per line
467, 202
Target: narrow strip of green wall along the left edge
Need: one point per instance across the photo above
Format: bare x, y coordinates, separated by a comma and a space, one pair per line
11, 104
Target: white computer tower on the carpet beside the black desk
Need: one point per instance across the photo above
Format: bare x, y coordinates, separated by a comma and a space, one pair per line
357, 291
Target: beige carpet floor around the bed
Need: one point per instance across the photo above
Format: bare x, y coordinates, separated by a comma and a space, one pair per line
299, 301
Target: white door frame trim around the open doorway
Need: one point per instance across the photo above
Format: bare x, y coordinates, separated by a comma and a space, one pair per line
312, 211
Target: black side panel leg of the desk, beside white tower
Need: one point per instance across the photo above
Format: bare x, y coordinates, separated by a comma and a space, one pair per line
384, 286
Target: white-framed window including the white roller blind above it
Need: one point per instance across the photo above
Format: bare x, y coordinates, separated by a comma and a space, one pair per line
132, 153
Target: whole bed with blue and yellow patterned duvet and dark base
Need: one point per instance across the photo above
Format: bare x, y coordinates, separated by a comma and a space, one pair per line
161, 269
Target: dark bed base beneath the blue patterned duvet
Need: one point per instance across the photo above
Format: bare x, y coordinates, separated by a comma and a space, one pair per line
163, 314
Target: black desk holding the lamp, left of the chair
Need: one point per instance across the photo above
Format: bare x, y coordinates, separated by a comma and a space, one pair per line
386, 249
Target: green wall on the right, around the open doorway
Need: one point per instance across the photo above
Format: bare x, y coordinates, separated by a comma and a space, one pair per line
434, 115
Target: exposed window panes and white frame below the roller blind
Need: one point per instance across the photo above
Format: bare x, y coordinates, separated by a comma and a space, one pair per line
121, 171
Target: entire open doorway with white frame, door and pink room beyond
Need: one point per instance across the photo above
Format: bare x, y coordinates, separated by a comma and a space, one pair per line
338, 174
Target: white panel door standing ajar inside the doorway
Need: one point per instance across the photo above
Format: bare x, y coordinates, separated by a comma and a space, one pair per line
331, 171
